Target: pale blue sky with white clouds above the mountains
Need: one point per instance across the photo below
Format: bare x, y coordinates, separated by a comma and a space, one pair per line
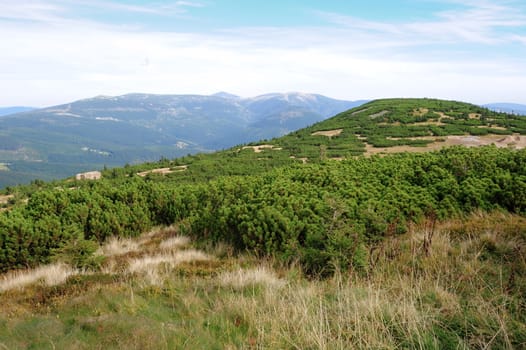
59, 51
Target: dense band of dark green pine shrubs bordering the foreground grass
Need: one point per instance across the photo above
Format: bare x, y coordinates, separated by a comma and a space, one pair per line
321, 215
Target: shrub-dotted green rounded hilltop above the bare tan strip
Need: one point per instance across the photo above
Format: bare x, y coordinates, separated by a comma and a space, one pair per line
395, 122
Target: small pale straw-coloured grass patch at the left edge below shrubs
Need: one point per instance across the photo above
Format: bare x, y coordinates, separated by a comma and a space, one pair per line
49, 275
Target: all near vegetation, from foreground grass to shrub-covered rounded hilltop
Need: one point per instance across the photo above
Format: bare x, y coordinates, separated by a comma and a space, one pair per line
408, 250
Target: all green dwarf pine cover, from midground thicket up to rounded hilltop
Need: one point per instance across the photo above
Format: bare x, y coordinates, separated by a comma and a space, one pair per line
267, 200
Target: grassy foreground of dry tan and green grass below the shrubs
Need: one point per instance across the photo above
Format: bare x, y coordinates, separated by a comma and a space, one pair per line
459, 284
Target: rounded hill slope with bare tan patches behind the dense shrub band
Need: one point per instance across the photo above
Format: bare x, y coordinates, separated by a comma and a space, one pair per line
382, 126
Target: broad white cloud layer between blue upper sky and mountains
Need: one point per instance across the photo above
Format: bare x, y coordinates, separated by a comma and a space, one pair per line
54, 59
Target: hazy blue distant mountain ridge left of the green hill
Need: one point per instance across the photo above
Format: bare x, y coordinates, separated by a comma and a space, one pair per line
59, 141
